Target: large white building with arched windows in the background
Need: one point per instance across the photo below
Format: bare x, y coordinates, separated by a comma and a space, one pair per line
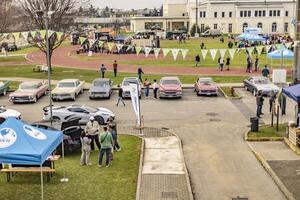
229, 16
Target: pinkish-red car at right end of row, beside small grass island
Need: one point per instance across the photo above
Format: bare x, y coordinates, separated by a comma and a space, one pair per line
206, 86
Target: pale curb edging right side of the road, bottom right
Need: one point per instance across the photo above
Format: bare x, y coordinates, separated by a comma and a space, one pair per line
273, 175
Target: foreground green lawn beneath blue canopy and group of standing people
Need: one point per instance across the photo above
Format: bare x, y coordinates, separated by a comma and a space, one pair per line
118, 182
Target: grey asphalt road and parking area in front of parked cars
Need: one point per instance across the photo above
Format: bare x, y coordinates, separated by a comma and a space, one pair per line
220, 163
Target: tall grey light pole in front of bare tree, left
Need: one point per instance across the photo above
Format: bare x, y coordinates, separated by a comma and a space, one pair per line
46, 15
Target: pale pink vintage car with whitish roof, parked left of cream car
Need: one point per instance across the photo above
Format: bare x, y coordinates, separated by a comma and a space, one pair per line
29, 91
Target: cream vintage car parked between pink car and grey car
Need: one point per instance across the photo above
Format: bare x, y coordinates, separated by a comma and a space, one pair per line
67, 89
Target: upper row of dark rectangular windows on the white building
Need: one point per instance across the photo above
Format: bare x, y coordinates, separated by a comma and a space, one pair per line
247, 13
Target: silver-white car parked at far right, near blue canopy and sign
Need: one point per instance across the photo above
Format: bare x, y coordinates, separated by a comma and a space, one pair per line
259, 83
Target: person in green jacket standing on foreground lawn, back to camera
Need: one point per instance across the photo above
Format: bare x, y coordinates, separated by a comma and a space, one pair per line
106, 141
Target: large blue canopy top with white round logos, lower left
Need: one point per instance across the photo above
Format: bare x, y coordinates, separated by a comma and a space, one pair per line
23, 144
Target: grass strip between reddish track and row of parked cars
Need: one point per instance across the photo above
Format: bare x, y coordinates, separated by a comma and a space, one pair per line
89, 75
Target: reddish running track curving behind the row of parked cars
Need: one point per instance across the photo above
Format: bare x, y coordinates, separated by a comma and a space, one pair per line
62, 57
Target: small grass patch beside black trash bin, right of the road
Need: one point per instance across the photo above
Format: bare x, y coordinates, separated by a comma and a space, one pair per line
268, 131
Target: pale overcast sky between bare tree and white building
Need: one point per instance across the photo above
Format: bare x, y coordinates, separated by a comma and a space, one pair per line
128, 4
